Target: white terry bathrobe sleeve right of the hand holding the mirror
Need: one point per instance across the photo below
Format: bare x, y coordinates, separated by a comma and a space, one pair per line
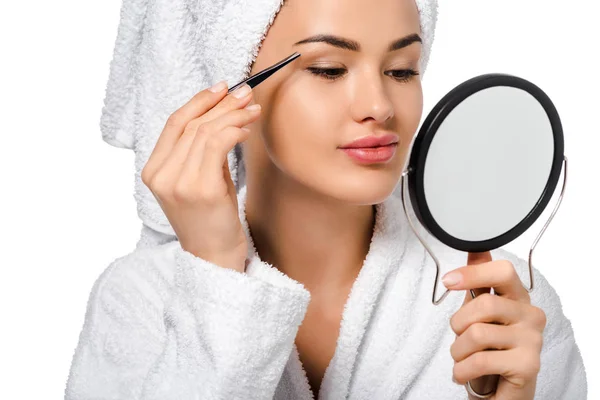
562, 373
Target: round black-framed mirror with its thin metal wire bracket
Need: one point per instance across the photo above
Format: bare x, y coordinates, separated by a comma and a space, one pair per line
484, 165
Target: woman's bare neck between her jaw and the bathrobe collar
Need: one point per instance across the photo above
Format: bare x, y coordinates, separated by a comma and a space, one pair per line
314, 239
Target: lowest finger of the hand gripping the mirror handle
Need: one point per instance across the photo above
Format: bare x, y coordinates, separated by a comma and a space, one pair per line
517, 365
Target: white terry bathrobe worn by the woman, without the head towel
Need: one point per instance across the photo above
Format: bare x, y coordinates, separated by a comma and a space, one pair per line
162, 323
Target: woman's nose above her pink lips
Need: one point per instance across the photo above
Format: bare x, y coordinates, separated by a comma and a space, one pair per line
371, 101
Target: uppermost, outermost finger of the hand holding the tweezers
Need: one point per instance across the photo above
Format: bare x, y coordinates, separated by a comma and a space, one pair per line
198, 105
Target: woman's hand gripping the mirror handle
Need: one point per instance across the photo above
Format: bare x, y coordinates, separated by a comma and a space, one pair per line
497, 334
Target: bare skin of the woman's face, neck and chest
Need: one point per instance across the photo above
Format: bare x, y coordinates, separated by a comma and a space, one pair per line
309, 206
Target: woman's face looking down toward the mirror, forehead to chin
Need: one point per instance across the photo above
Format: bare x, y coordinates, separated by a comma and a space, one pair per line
331, 96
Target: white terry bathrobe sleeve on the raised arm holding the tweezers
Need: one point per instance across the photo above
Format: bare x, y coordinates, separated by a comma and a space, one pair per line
206, 332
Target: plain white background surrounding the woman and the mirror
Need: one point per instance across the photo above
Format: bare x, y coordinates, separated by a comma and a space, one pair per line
67, 206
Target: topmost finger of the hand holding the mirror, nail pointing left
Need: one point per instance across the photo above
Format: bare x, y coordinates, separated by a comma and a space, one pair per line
499, 274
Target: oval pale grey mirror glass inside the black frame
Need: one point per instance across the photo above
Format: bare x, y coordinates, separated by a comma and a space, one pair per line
488, 164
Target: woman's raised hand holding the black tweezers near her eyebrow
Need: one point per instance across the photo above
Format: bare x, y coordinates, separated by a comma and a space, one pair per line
189, 176
